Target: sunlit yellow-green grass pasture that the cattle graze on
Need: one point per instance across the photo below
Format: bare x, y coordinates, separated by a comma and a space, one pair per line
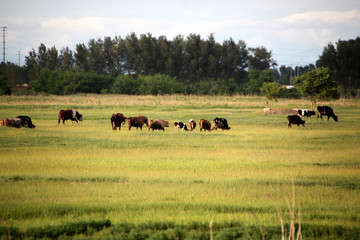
54, 175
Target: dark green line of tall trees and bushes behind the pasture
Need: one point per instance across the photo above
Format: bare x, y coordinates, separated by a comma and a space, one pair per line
131, 65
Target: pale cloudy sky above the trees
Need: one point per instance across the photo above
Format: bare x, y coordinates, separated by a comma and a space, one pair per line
295, 31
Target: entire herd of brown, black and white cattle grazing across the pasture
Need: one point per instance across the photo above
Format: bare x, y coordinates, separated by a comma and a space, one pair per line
118, 119
